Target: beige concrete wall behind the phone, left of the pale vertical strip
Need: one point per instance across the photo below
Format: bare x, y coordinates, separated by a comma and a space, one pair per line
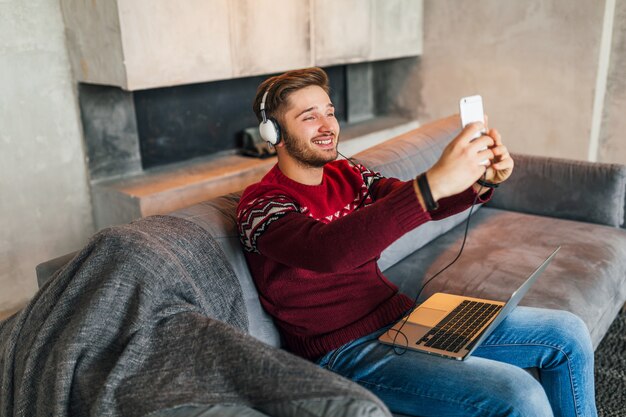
534, 62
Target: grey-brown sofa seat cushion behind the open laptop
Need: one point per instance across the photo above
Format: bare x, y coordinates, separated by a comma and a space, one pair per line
587, 277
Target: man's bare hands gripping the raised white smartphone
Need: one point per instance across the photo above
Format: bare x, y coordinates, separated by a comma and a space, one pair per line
462, 162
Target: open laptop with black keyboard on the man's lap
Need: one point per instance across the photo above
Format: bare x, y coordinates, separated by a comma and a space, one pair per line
452, 326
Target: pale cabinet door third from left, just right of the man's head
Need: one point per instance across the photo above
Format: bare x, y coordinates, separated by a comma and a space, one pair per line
341, 31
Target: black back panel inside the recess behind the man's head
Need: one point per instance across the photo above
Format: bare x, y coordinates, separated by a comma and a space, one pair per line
179, 123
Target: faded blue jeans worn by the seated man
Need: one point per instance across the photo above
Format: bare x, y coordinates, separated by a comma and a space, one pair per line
489, 383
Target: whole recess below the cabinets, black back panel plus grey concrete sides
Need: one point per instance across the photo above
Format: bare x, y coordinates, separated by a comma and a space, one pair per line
131, 132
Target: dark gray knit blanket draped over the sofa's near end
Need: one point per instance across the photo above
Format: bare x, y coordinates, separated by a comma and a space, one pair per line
147, 318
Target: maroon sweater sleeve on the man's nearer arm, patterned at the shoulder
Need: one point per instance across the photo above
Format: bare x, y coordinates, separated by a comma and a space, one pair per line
294, 239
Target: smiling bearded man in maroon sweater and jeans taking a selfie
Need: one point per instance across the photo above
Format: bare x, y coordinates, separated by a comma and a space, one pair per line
313, 229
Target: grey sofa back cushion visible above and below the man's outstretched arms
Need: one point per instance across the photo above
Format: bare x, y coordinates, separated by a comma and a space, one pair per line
404, 157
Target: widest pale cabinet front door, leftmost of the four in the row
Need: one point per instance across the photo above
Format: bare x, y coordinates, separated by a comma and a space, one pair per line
168, 43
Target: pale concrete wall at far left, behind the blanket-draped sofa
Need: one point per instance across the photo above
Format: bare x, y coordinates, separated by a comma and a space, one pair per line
44, 199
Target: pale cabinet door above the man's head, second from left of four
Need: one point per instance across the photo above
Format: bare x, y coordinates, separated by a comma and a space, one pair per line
270, 35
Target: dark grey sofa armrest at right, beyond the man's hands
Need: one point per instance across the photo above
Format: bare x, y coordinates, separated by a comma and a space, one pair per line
577, 190
